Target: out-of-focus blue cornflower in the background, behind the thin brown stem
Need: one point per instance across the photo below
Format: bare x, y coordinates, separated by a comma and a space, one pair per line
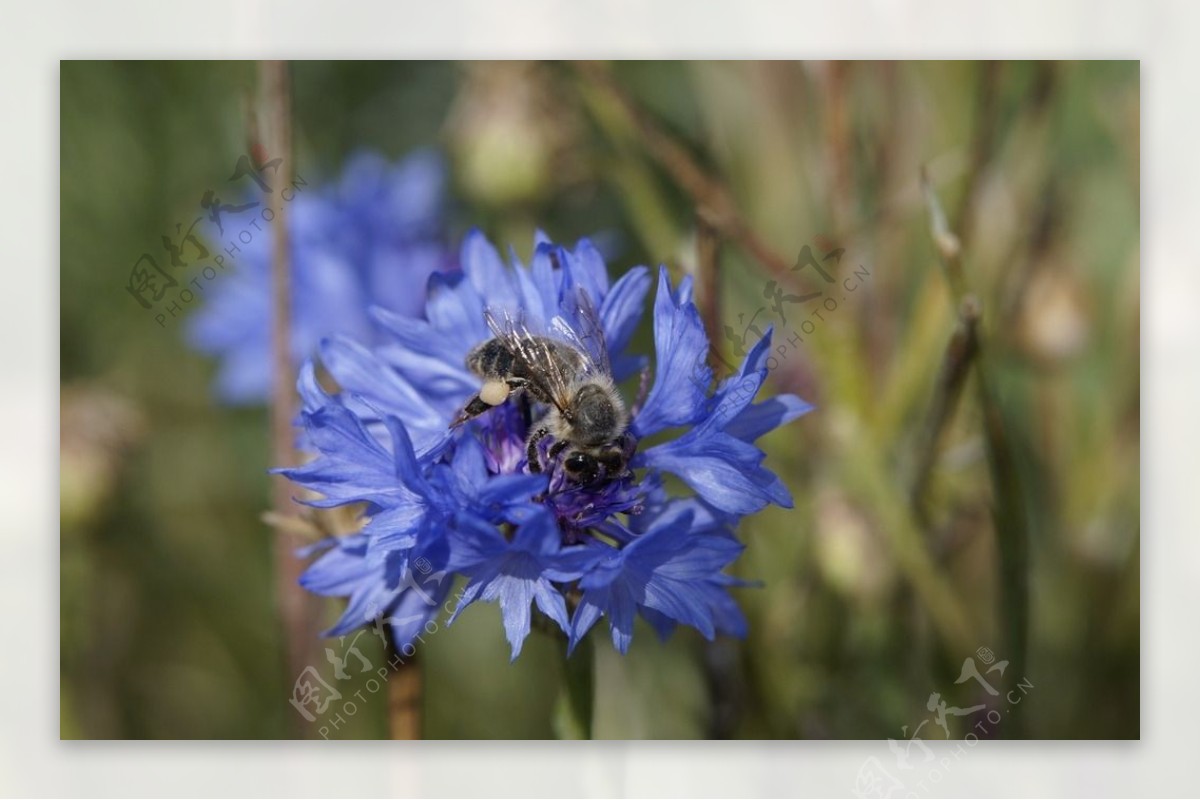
365, 240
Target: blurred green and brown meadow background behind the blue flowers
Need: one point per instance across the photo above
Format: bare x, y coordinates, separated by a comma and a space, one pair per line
871, 603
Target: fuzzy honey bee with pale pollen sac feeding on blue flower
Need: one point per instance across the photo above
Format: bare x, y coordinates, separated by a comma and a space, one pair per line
573, 377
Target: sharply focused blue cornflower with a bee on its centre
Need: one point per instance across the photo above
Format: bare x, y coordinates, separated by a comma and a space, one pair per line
465, 501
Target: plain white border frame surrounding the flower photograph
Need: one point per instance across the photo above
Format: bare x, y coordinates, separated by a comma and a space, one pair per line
34, 762
